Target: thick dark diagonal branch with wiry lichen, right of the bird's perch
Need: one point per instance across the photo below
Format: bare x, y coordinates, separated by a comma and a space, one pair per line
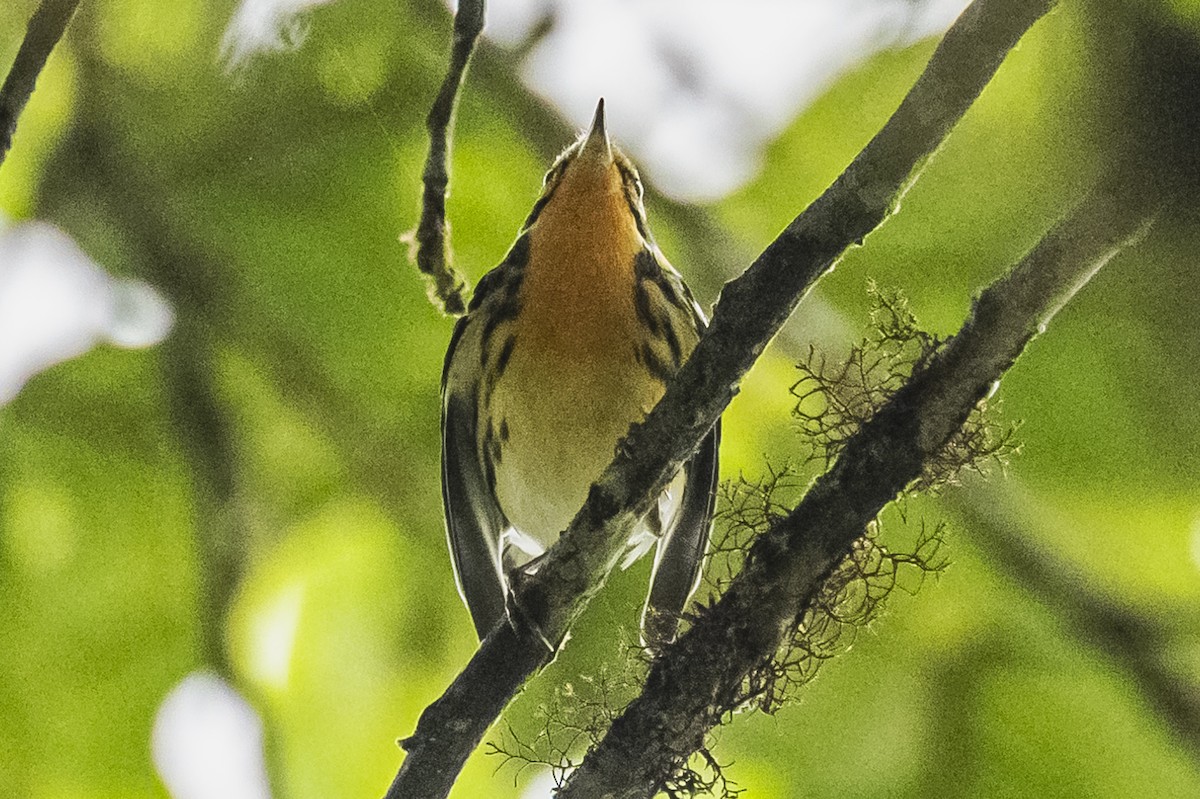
700, 678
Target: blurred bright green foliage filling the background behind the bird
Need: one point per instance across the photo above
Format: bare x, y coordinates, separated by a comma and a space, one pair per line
293, 414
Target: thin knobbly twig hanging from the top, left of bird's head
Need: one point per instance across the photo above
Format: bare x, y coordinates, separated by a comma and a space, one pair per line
433, 253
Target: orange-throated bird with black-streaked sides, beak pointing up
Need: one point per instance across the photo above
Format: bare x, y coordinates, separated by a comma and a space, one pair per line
569, 341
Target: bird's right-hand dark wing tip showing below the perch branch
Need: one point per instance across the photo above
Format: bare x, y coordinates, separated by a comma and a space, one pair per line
681, 551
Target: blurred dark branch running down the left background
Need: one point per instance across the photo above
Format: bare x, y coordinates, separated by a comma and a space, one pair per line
117, 189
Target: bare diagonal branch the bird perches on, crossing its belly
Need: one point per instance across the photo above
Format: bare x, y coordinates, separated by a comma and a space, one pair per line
749, 314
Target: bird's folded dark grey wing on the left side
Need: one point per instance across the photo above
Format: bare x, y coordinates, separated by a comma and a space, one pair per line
475, 522
